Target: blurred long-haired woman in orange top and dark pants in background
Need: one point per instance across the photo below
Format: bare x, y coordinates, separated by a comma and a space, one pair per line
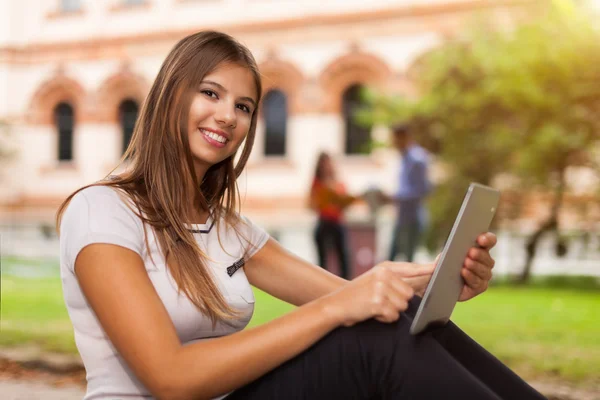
328, 197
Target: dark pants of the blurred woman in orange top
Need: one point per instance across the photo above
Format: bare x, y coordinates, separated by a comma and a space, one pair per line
332, 235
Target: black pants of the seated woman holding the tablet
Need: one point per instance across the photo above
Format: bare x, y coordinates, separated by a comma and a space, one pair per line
372, 360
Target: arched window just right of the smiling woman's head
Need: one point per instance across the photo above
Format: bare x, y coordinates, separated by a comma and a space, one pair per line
275, 119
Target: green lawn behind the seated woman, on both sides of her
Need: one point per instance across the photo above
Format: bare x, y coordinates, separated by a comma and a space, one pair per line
538, 330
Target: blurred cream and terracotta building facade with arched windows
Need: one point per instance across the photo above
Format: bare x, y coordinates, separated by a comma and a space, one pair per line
75, 72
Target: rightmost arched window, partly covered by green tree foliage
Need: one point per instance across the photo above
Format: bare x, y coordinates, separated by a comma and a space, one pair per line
358, 137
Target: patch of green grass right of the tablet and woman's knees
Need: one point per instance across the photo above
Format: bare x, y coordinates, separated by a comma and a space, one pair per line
537, 331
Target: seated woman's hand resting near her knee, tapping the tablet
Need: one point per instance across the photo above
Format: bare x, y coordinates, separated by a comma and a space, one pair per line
379, 293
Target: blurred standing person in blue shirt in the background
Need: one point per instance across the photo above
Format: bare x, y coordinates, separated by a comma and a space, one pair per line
414, 185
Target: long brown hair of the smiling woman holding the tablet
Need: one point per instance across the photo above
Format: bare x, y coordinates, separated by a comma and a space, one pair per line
157, 178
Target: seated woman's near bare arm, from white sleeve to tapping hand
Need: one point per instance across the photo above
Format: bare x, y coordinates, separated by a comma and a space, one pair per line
121, 295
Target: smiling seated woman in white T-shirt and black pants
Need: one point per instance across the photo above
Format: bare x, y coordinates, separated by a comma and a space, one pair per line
157, 265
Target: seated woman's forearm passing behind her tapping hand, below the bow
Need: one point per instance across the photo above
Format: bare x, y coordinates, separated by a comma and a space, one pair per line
288, 277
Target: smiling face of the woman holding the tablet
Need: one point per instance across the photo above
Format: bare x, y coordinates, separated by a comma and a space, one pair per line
220, 115
